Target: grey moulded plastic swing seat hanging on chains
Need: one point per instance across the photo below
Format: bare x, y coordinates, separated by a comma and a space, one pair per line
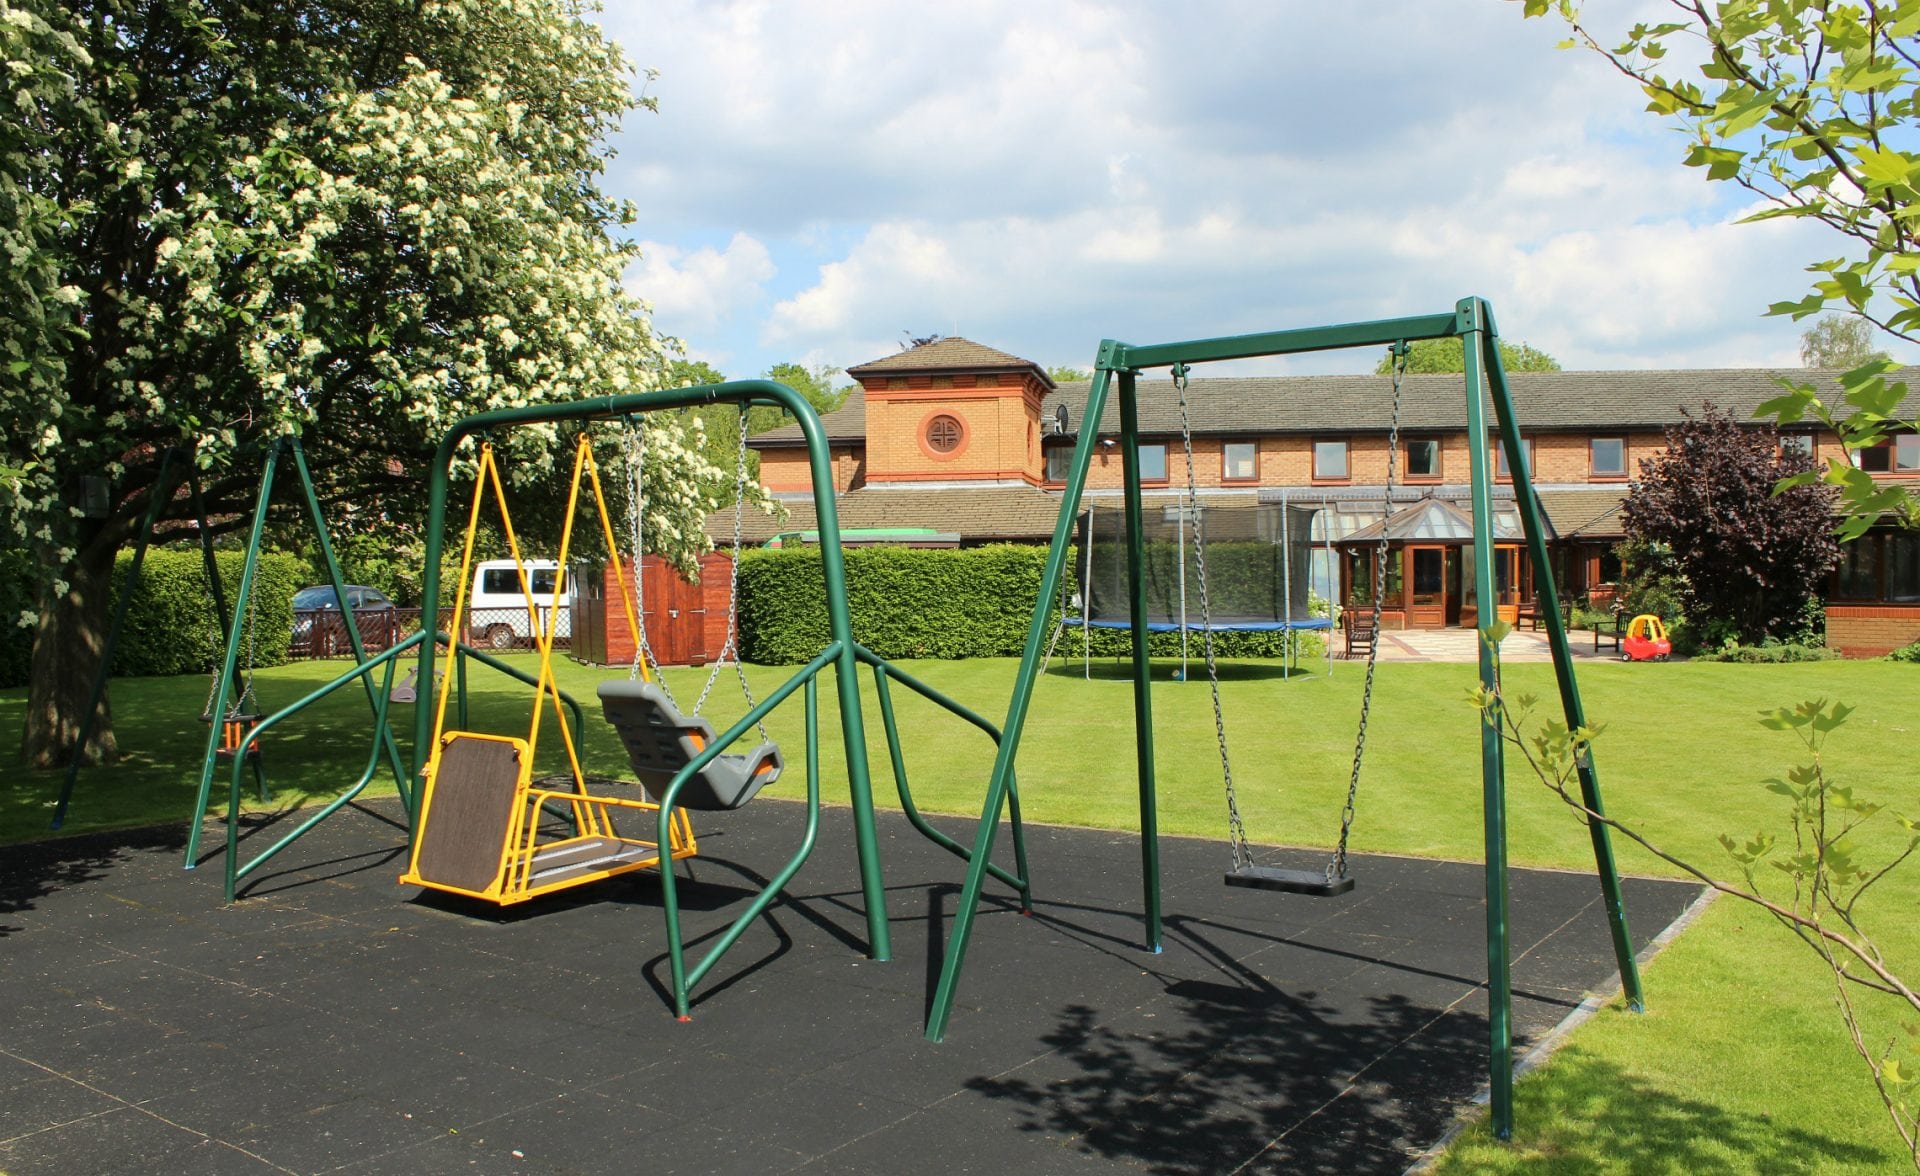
661, 741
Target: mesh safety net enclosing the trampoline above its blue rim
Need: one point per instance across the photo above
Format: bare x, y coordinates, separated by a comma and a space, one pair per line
1259, 566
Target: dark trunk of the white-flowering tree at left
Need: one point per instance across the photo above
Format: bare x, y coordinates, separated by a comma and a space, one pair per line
68, 647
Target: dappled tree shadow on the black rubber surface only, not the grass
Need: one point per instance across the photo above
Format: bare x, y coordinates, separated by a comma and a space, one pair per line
1224, 1075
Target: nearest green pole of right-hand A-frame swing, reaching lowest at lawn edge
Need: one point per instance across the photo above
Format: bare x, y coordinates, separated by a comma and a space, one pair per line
1476, 331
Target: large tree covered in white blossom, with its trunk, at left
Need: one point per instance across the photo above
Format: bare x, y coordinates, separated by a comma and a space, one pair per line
358, 220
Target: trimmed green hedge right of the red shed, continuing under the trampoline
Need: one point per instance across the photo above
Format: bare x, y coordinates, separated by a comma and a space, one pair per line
913, 602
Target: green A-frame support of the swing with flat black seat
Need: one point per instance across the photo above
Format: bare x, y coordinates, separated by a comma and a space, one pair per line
1485, 381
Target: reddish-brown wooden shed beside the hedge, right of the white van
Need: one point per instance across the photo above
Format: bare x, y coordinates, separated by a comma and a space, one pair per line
686, 622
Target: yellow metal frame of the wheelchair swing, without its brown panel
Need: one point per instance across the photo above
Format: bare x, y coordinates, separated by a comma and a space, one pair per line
514, 881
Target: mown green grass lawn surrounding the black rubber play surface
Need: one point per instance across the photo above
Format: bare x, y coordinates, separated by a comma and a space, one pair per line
1740, 1064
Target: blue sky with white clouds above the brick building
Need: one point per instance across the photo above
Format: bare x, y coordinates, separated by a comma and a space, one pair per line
823, 180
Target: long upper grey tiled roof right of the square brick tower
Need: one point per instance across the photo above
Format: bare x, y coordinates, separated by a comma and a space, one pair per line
1543, 401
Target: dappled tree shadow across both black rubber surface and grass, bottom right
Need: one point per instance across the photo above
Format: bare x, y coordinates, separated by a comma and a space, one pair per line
1230, 1077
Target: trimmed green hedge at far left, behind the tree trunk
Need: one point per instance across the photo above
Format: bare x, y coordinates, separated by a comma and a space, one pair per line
170, 624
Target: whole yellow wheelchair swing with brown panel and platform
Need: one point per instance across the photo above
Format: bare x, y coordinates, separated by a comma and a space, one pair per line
481, 831
